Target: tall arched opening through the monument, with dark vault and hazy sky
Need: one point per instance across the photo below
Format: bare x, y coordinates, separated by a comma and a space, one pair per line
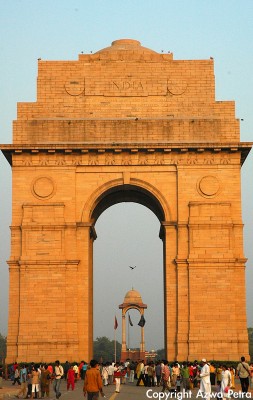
128, 236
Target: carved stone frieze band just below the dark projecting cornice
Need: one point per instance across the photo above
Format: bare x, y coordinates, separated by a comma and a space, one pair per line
119, 157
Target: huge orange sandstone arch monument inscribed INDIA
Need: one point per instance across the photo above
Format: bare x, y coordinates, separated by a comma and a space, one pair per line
126, 124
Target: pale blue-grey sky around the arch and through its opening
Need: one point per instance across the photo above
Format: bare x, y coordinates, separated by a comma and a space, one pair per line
60, 30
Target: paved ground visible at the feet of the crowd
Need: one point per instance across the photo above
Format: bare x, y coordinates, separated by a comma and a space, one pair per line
127, 392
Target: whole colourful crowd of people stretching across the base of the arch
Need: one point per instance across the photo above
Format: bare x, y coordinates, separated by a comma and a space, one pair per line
35, 380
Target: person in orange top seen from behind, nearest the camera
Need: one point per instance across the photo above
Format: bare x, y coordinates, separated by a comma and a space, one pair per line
93, 384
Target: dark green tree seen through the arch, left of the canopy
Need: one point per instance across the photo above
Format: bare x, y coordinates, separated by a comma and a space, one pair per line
103, 349
